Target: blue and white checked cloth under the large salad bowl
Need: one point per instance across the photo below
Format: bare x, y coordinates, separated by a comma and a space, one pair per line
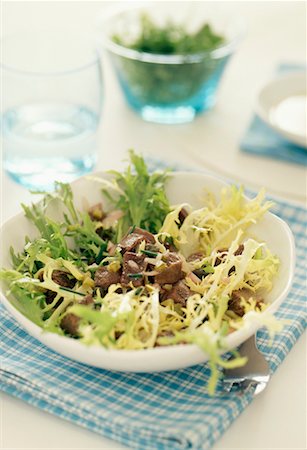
144, 411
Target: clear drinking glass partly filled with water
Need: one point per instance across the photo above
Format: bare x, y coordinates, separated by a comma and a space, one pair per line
51, 106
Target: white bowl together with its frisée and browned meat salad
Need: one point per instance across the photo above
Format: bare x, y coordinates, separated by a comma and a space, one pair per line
144, 271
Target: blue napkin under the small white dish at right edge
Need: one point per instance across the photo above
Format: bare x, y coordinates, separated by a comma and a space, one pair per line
262, 140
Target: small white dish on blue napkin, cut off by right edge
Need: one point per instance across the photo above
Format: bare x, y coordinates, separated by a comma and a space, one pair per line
282, 105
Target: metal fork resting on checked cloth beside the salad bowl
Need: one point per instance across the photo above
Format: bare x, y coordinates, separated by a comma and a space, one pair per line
254, 375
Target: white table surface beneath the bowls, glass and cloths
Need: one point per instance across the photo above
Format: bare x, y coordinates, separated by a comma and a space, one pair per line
276, 33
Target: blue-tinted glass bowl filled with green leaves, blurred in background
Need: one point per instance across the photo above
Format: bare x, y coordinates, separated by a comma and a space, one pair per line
168, 73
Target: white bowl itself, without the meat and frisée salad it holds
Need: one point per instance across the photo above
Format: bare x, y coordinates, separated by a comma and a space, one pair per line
182, 187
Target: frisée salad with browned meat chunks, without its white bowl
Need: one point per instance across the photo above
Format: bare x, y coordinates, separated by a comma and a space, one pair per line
223, 273
